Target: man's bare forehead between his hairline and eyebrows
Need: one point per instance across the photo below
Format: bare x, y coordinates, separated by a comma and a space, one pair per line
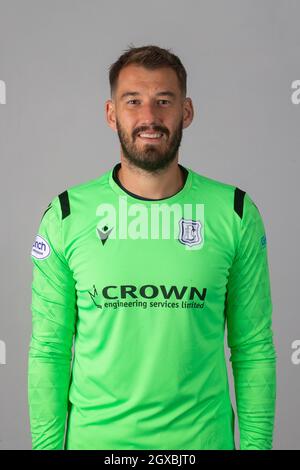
140, 79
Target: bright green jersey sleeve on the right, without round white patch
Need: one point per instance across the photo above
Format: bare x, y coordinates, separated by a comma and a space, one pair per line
248, 309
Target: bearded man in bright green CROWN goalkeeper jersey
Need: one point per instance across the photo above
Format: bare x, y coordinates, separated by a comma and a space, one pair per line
144, 266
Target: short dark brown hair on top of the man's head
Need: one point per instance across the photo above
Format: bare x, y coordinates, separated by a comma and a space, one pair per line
150, 57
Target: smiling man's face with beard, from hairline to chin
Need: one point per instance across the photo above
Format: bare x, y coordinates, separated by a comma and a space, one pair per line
148, 102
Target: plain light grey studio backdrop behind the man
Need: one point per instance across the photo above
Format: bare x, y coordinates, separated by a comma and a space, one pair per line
243, 65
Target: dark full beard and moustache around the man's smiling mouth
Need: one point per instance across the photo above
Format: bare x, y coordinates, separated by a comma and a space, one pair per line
151, 158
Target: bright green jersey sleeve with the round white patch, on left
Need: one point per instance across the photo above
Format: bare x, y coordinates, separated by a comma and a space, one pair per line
53, 310
